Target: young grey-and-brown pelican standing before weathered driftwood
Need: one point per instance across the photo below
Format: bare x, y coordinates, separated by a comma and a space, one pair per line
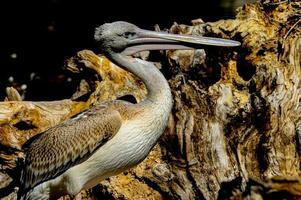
115, 135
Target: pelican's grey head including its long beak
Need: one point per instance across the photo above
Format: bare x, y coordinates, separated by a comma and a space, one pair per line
126, 38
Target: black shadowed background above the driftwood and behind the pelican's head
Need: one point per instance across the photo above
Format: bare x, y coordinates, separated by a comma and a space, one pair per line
37, 36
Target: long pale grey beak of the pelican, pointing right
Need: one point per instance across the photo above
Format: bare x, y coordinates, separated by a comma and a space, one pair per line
150, 40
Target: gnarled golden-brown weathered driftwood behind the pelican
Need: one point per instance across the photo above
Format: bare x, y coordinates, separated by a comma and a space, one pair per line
235, 128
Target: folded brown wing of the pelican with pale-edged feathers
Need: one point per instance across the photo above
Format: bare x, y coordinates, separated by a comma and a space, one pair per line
68, 144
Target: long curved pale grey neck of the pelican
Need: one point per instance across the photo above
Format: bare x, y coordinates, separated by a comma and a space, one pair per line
156, 85
